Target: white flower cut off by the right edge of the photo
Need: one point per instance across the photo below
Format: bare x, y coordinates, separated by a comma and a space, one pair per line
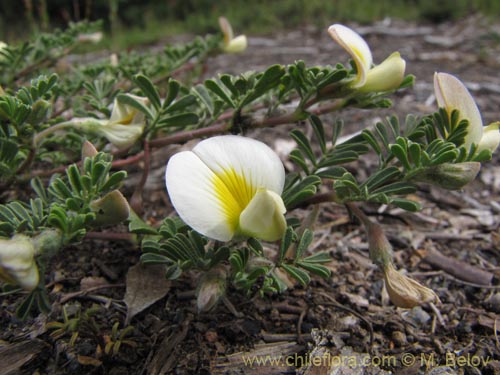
452, 94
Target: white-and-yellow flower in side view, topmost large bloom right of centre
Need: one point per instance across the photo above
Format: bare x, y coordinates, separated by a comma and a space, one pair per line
383, 77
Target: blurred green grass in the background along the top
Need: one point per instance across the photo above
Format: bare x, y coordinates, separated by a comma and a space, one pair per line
150, 21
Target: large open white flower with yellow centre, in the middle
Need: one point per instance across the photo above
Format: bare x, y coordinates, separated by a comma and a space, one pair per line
229, 186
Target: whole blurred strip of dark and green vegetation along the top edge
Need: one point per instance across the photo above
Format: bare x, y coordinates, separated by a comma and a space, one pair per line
153, 19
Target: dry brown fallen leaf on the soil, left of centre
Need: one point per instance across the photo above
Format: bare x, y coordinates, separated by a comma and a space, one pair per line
145, 286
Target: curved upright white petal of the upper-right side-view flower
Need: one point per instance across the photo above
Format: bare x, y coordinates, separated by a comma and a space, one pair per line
357, 47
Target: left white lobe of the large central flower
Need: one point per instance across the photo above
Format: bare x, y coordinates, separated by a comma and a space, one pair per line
190, 187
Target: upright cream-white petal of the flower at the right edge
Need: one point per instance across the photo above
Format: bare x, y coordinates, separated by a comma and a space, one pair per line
452, 94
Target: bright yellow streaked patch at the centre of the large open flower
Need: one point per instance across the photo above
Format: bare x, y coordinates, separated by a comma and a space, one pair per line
234, 192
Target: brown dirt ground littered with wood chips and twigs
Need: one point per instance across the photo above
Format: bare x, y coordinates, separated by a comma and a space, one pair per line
451, 246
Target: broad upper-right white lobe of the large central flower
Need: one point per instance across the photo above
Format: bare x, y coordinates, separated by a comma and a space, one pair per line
250, 159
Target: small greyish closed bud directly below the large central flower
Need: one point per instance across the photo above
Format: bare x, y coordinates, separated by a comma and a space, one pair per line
211, 289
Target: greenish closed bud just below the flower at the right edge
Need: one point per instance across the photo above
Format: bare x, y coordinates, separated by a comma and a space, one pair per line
447, 175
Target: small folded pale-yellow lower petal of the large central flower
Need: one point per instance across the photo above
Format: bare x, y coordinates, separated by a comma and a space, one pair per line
264, 216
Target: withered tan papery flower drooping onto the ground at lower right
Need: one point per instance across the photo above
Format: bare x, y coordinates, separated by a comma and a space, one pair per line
405, 292
